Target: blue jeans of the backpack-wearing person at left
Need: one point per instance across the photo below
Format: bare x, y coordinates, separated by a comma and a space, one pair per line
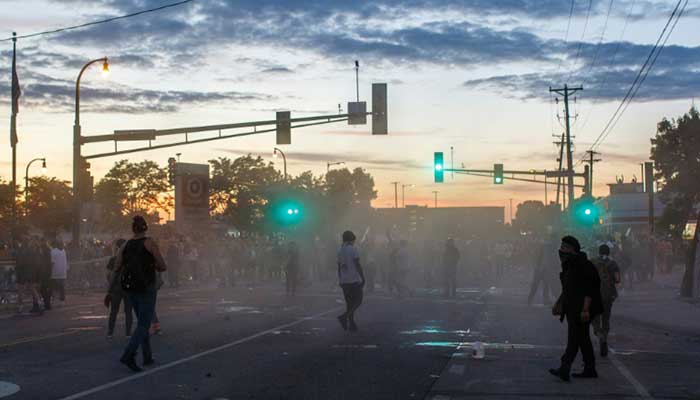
144, 305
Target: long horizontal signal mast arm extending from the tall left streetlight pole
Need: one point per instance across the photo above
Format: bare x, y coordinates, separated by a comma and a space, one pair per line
150, 135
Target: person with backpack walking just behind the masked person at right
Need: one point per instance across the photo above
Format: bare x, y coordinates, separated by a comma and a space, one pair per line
609, 273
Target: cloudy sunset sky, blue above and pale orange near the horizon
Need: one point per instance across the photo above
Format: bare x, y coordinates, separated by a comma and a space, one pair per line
469, 75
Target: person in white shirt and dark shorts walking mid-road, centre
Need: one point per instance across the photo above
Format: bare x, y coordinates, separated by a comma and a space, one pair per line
351, 280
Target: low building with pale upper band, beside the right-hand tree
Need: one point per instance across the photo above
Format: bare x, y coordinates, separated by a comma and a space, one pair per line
627, 206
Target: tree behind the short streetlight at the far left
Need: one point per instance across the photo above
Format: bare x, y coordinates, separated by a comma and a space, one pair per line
50, 204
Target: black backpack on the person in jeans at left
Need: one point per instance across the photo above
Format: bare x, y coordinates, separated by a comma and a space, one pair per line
138, 272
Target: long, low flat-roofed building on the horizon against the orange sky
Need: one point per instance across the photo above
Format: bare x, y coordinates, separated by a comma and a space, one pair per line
459, 222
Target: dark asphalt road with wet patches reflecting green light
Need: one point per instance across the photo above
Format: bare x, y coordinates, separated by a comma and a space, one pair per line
259, 344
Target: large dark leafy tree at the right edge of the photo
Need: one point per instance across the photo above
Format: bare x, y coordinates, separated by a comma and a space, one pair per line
676, 153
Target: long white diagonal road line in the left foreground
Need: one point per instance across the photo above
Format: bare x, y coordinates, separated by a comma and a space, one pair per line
169, 365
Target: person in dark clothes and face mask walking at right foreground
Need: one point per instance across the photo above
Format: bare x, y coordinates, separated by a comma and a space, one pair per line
579, 303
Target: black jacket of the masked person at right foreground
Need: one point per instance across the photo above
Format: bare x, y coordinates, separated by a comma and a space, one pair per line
579, 279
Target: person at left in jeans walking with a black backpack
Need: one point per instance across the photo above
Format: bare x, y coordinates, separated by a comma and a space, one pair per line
137, 262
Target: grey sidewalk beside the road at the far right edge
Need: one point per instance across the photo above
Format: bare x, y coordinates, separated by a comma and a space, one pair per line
659, 304
